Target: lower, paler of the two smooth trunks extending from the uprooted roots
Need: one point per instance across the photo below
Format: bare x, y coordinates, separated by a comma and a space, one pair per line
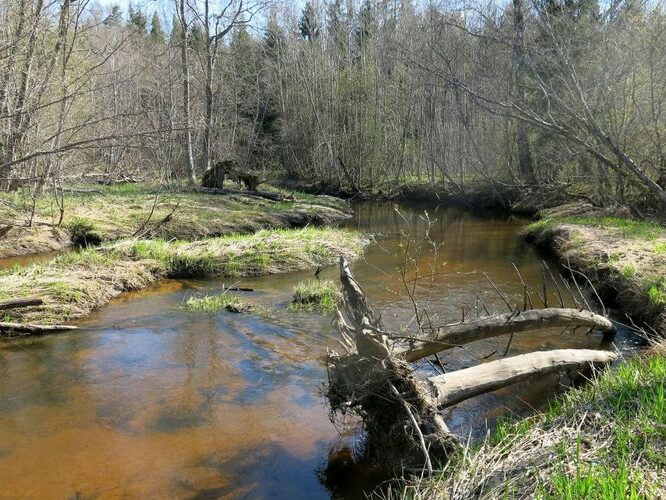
452, 388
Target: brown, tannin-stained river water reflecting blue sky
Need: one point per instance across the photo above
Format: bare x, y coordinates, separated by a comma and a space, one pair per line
148, 400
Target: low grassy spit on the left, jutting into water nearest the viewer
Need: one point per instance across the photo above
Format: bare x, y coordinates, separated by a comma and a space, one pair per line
76, 283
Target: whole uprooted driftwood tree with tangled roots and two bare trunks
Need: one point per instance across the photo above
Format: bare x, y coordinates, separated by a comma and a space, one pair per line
401, 410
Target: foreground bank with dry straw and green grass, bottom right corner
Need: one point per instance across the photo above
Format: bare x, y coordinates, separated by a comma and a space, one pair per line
604, 440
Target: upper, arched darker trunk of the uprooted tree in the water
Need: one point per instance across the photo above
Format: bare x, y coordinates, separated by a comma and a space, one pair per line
450, 336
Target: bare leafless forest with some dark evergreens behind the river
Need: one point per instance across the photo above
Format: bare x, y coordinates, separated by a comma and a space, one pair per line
364, 96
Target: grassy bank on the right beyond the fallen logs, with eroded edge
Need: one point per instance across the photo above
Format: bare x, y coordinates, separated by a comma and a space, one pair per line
625, 259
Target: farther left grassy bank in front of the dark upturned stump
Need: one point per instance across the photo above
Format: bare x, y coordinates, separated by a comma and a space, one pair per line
99, 214
